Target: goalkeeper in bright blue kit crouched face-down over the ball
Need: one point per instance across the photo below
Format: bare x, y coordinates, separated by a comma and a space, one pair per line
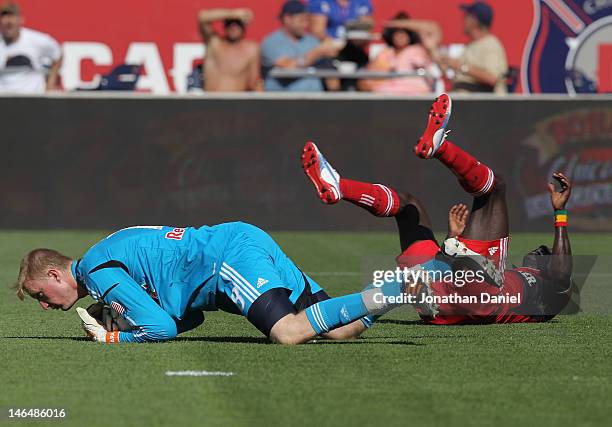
160, 280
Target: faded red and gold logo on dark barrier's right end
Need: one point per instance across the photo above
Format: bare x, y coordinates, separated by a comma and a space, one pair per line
577, 142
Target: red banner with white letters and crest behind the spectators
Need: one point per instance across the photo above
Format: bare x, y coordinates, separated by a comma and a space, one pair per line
559, 46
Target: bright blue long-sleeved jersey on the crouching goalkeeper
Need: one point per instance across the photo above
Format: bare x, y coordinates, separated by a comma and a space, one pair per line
159, 278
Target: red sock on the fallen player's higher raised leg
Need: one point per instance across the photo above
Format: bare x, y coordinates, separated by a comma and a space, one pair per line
475, 178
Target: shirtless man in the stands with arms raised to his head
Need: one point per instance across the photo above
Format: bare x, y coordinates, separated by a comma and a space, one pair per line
232, 62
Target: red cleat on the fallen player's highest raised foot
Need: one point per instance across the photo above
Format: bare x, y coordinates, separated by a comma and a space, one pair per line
435, 132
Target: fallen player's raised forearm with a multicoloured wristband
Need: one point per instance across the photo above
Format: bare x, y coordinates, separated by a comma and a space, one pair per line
560, 265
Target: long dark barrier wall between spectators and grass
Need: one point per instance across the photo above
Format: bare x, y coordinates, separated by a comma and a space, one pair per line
107, 163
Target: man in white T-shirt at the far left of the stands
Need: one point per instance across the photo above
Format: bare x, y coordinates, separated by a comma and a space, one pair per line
29, 60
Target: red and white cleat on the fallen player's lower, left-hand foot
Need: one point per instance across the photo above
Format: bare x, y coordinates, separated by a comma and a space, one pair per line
324, 177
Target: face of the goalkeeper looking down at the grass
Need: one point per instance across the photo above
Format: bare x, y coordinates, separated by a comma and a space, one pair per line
55, 291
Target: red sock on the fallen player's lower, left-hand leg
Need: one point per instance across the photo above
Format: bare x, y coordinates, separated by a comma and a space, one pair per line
378, 199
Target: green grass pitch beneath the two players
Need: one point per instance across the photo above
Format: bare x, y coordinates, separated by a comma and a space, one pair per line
400, 373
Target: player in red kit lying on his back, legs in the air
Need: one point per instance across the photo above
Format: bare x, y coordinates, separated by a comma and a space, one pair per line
535, 292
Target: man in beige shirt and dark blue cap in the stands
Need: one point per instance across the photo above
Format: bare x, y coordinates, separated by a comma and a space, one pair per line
483, 65
